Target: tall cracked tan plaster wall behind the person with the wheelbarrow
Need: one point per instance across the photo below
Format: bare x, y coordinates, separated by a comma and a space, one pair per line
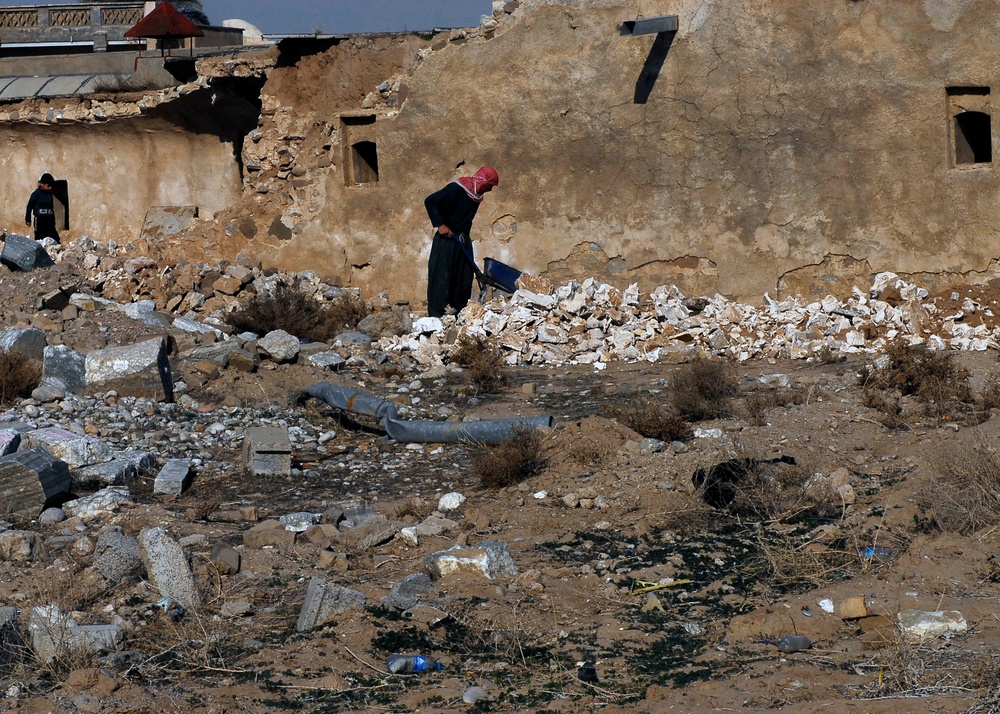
776, 134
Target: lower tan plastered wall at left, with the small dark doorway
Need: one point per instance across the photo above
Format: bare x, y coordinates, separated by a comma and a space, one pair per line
125, 153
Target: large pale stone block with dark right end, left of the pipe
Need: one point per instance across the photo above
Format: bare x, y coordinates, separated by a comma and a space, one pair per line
139, 370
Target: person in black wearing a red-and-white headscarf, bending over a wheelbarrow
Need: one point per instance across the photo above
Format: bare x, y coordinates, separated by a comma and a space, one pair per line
452, 210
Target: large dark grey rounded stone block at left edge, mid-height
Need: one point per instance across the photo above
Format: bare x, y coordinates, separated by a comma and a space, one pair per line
30, 480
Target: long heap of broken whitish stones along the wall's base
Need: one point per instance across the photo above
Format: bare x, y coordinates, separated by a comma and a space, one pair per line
595, 323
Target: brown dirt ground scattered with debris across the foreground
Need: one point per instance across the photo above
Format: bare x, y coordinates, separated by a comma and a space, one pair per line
725, 585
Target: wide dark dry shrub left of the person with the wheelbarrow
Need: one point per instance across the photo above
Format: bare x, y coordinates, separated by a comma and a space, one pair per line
296, 313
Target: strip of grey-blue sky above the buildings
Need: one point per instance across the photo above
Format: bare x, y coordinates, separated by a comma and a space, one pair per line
335, 17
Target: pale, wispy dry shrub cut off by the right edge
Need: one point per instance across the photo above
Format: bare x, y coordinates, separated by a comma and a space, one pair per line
965, 496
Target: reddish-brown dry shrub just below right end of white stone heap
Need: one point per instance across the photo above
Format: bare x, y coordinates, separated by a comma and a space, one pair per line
932, 376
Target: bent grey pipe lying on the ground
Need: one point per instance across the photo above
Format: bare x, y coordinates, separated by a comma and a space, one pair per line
423, 432
